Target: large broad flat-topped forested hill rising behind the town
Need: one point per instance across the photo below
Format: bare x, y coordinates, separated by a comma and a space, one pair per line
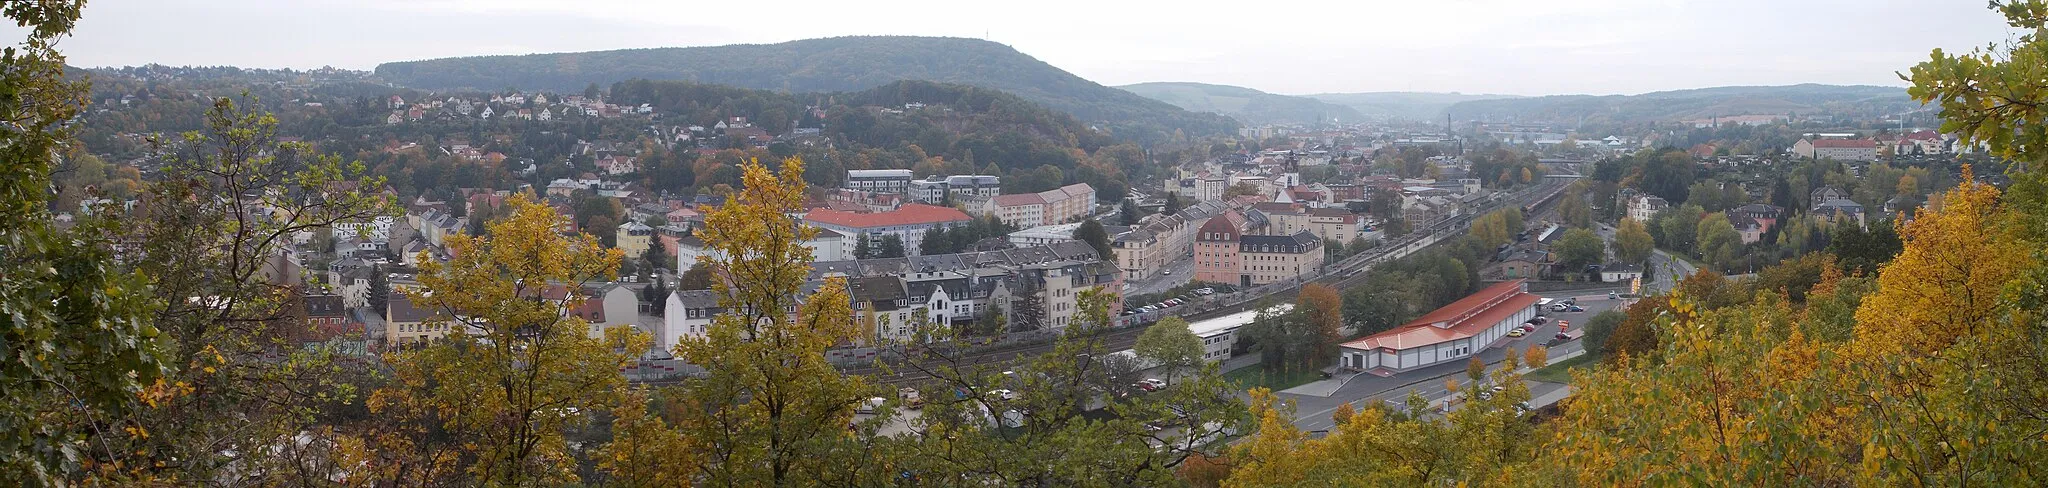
837, 65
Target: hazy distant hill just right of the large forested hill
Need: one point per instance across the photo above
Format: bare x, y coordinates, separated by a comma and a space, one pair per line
1244, 104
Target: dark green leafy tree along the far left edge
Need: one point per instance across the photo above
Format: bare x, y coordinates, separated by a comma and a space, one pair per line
81, 343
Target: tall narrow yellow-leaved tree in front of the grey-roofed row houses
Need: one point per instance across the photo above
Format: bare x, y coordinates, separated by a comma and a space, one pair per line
769, 409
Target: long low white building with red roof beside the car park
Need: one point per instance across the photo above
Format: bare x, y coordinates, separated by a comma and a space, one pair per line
1445, 335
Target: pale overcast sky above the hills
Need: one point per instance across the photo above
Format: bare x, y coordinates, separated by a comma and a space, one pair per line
1291, 48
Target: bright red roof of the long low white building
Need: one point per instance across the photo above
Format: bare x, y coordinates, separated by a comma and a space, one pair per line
1463, 319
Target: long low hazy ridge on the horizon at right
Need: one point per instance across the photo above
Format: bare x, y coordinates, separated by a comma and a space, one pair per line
1691, 106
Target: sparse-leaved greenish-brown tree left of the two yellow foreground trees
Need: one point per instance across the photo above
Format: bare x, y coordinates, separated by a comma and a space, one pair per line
216, 233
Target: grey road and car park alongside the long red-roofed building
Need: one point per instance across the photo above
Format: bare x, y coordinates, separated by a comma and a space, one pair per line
1314, 411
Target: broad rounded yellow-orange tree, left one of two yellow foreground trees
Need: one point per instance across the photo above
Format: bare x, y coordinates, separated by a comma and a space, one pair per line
515, 368
